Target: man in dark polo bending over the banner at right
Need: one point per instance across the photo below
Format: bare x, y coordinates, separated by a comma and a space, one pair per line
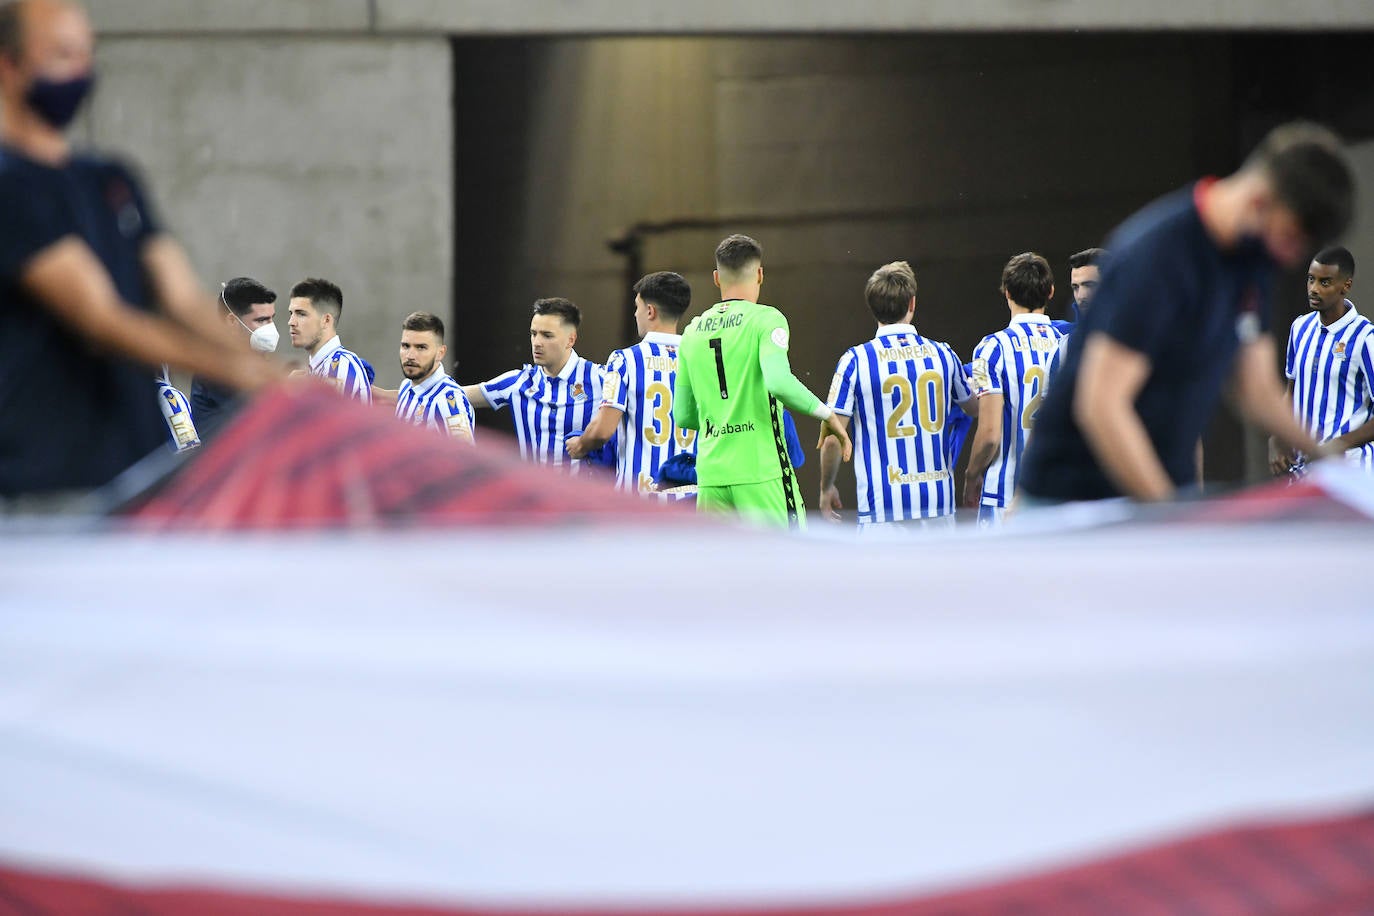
1184, 311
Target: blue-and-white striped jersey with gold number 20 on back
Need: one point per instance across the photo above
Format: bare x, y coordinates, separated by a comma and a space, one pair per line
898, 389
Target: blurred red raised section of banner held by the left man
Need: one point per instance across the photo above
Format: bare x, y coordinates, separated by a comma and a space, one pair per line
303, 457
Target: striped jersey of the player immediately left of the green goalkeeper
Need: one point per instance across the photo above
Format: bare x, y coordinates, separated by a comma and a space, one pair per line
640, 384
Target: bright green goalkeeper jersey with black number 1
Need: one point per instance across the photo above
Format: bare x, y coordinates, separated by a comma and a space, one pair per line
733, 382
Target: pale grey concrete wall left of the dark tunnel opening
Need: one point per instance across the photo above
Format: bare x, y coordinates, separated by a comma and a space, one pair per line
289, 157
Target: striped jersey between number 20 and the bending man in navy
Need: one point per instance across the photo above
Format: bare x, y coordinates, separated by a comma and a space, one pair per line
1017, 365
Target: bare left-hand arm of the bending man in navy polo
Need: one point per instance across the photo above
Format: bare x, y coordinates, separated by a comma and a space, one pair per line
1111, 378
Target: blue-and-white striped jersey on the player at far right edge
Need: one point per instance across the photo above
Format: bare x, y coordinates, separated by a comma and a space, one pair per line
1332, 369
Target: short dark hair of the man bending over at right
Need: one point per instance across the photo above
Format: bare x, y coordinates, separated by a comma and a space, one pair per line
1311, 176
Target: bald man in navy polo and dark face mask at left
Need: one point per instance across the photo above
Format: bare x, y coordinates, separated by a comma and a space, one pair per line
83, 264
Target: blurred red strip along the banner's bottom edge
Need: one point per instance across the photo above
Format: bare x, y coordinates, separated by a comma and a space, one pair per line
1314, 869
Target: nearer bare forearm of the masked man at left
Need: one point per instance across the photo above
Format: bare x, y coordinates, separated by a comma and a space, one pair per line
72, 284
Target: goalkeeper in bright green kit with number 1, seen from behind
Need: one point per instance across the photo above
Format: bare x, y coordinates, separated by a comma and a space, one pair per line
733, 384
